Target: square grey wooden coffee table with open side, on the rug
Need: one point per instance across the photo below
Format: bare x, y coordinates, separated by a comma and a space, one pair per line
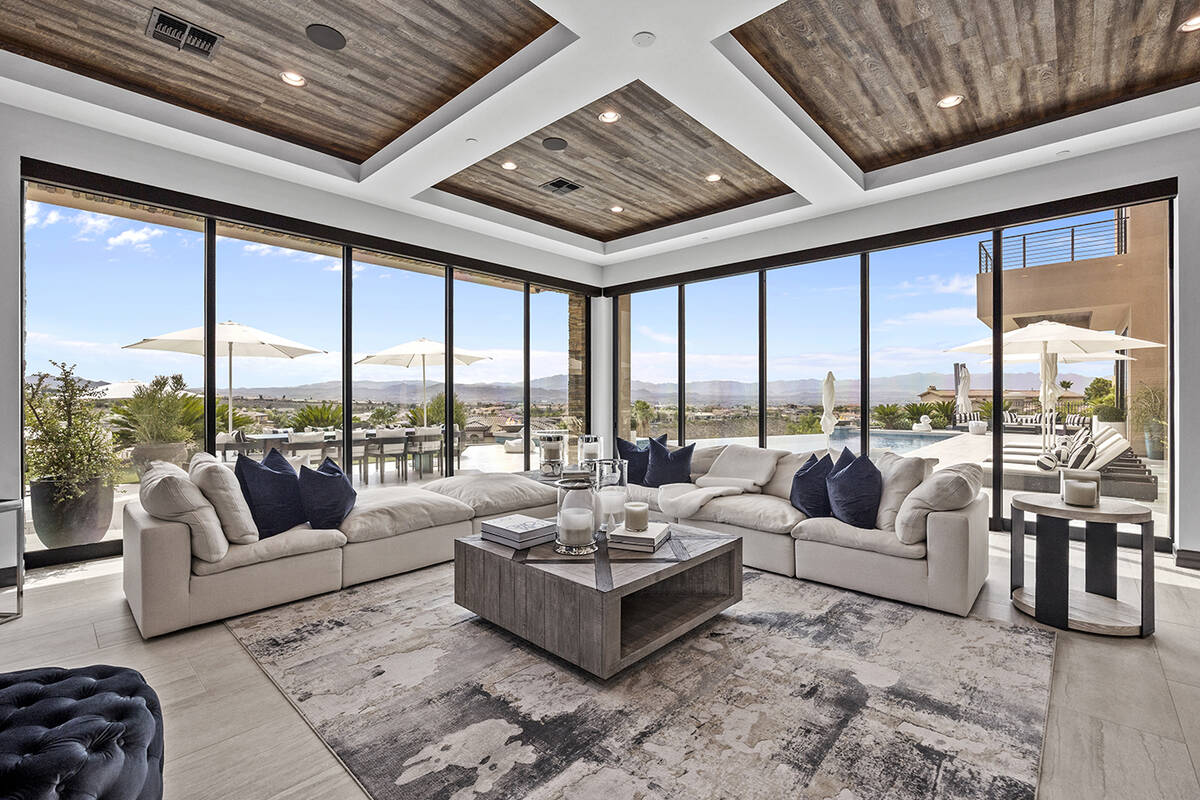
607, 611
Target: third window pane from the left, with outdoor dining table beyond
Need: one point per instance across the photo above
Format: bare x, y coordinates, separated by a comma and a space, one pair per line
399, 365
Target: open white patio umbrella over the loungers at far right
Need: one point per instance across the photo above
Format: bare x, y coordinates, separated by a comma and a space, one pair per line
1049, 340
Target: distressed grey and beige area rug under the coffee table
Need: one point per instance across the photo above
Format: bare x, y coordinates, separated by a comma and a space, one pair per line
799, 691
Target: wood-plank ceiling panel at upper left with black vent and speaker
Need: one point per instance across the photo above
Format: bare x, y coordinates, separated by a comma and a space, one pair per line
404, 59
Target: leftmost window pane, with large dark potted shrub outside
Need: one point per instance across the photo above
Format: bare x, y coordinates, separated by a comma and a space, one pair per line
103, 275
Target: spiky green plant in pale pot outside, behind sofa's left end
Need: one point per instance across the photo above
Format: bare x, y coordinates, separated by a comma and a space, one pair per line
157, 422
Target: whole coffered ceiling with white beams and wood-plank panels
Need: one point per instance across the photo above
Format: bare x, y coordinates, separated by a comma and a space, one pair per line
805, 107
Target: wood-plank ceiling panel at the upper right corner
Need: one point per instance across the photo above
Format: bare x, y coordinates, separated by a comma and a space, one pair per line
871, 73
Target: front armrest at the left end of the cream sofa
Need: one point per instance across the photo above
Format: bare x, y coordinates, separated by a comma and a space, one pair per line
158, 572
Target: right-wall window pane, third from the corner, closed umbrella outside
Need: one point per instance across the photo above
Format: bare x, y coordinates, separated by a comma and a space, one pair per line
813, 330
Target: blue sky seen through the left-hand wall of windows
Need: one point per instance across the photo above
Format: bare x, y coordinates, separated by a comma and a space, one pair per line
98, 282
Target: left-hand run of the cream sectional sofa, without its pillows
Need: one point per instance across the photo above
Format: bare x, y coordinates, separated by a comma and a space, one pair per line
389, 532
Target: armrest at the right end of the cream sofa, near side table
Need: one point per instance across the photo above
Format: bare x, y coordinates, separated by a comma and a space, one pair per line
957, 544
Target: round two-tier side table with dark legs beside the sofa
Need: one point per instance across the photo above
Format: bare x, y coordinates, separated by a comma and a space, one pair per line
1051, 599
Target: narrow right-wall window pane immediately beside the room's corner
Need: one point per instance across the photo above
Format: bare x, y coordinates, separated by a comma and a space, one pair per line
649, 365
